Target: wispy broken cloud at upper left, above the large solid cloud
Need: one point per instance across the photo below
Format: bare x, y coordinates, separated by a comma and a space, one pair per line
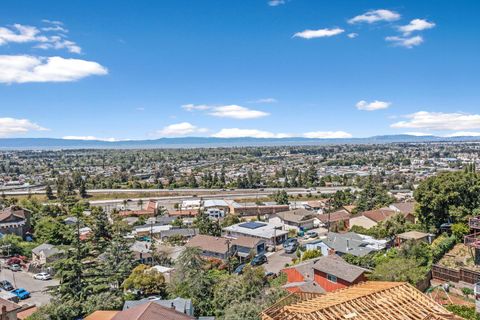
19, 33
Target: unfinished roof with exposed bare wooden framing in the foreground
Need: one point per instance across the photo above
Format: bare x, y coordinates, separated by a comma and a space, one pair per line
366, 301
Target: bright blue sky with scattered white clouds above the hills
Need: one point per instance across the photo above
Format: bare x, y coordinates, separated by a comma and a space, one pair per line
149, 69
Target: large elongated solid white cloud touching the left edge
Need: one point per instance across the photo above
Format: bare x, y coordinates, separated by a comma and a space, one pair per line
24, 68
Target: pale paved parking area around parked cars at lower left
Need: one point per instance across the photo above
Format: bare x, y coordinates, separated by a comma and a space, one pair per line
37, 288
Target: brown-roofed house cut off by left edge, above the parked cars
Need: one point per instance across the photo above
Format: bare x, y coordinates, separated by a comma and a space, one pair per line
15, 220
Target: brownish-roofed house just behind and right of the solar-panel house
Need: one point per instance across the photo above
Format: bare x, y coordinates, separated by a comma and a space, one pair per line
299, 219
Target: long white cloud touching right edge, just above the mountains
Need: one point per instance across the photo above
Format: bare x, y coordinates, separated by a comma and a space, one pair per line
440, 121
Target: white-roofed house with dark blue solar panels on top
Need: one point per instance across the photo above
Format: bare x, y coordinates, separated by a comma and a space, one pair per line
266, 231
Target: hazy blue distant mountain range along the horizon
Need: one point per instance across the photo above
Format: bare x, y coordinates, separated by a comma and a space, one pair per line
206, 142
